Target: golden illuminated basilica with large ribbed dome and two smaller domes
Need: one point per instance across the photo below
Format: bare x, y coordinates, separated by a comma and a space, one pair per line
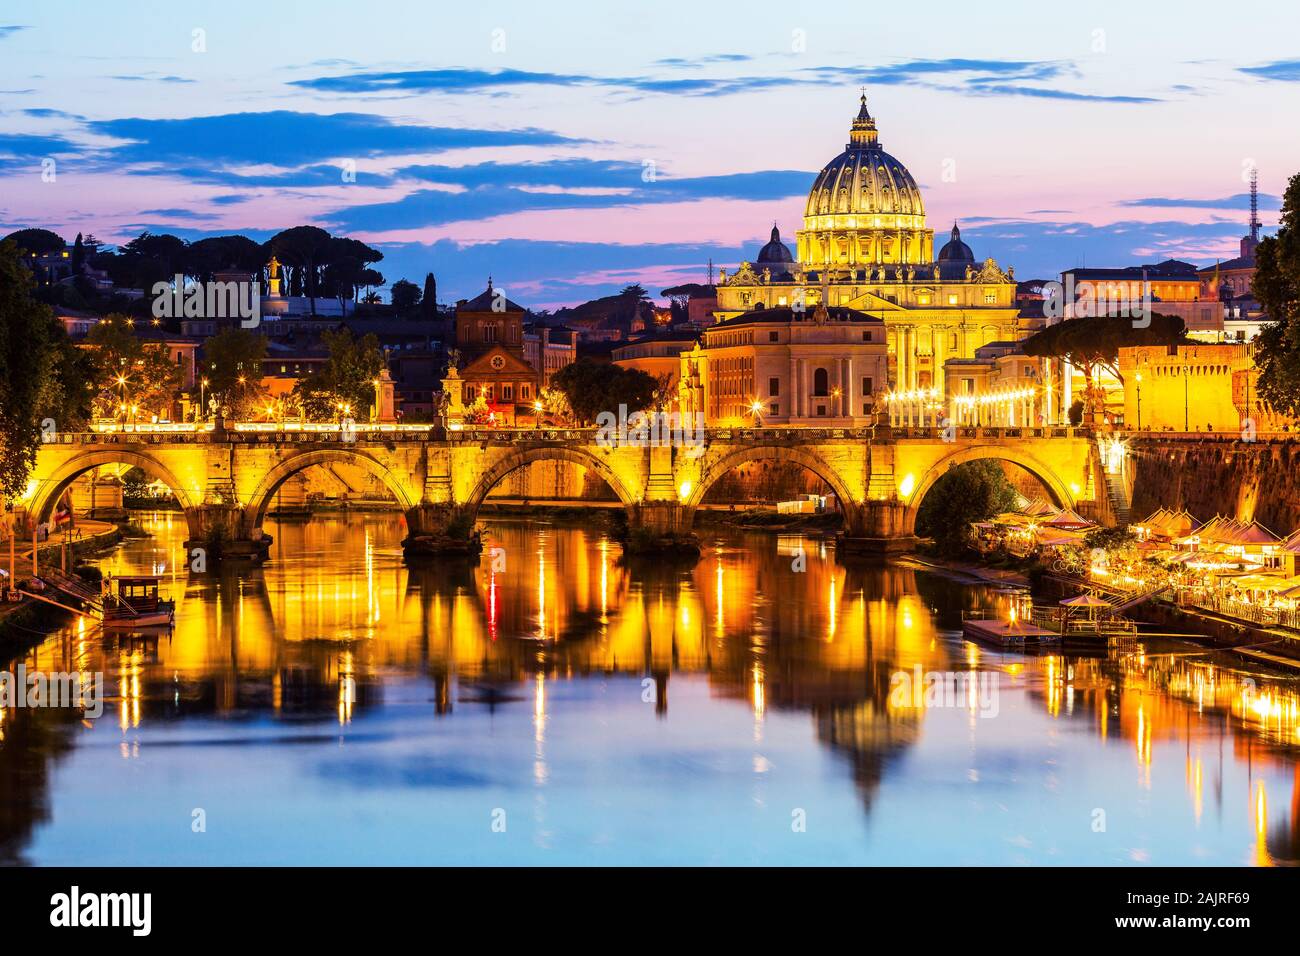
865, 245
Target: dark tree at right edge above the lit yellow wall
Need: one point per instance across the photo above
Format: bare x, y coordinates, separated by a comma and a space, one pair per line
1277, 287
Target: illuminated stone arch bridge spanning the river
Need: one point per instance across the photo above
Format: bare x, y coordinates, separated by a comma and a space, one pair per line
226, 479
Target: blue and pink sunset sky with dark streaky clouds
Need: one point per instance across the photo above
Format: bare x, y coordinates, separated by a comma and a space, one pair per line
570, 154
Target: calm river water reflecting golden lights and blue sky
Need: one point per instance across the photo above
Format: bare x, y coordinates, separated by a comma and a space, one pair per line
339, 708
